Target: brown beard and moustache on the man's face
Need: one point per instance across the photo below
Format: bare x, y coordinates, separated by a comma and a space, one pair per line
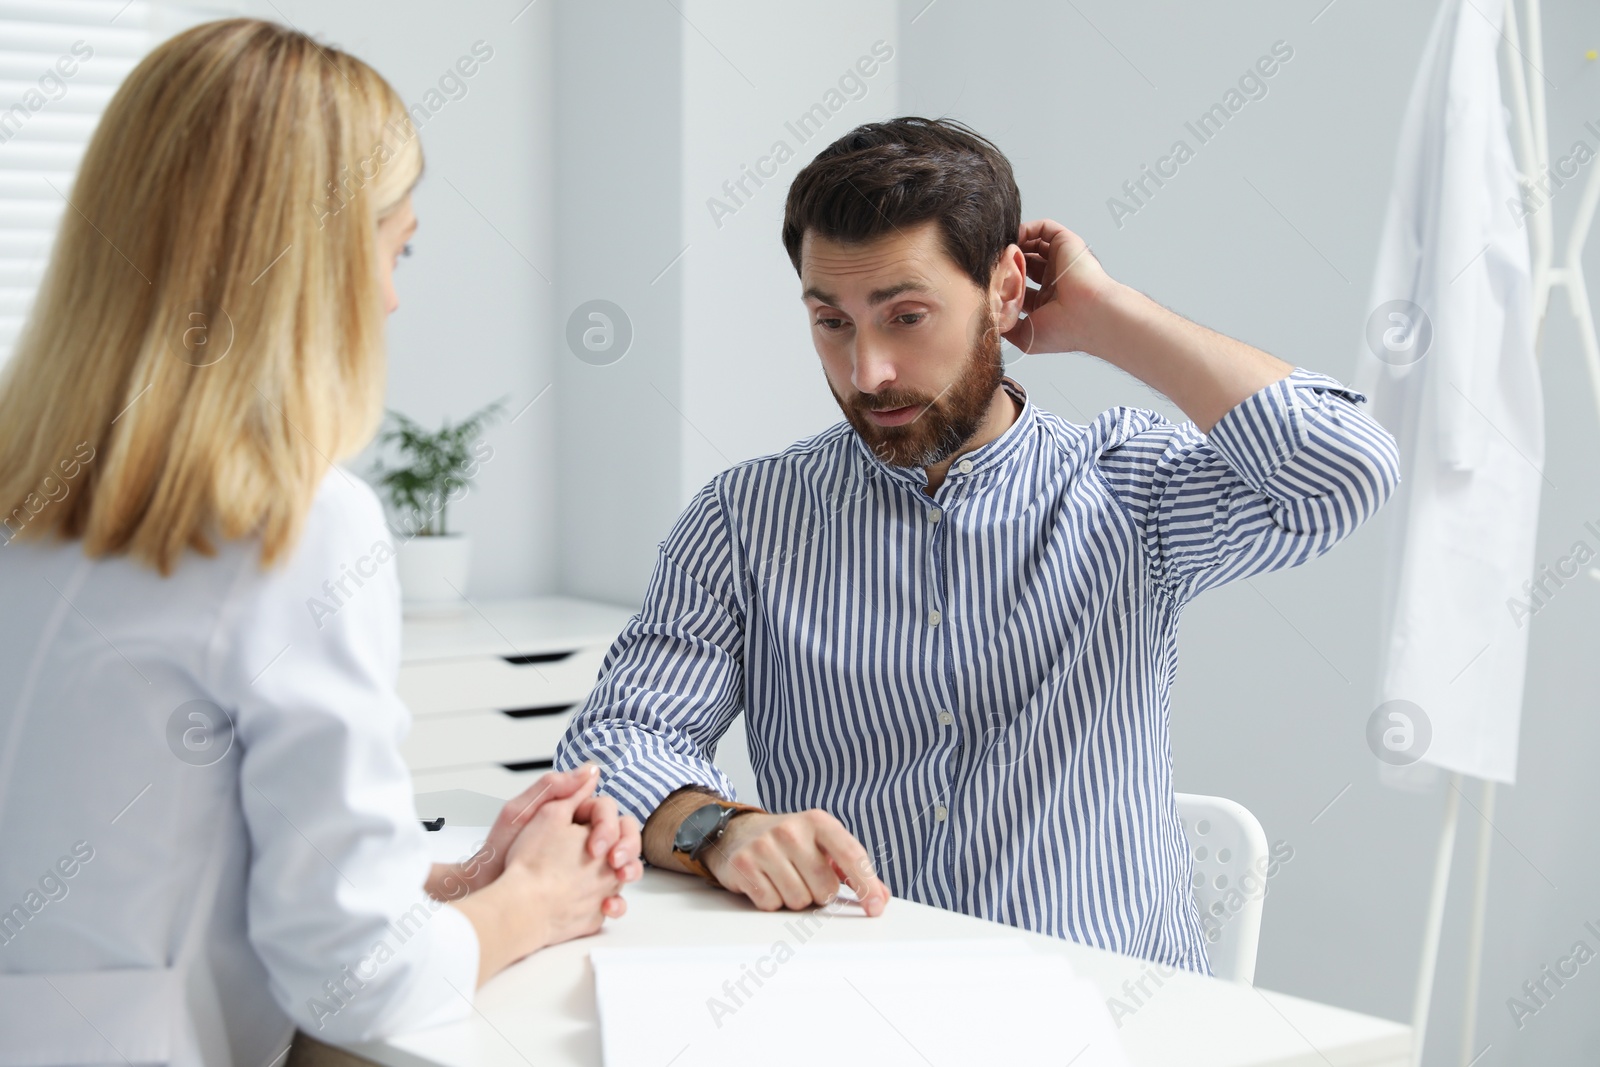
951, 422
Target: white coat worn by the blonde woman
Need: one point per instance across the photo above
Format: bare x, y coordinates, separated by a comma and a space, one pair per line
212, 906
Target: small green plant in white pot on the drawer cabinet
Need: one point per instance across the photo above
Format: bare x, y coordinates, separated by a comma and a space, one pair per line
439, 471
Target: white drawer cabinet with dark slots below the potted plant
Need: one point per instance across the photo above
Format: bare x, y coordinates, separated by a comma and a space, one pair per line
492, 692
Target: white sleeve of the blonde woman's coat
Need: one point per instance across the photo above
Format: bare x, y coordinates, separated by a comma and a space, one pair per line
353, 945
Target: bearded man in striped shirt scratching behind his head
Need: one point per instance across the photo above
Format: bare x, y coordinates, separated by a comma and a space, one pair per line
951, 620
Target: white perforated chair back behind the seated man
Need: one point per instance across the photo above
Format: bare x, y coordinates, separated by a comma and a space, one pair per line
1230, 852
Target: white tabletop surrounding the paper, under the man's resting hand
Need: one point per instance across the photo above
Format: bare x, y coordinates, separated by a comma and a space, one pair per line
542, 1012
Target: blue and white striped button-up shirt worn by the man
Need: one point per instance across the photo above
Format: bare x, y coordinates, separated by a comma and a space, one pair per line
977, 684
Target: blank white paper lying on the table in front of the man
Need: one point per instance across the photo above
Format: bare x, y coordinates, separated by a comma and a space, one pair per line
886, 1004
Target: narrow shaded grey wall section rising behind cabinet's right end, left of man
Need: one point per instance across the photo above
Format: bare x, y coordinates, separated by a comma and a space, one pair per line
620, 158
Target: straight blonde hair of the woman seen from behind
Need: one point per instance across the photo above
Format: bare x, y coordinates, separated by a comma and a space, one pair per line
209, 335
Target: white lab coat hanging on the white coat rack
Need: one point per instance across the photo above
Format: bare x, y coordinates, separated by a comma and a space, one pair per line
1468, 417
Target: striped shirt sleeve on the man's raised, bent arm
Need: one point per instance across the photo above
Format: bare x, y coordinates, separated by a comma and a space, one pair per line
1281, 479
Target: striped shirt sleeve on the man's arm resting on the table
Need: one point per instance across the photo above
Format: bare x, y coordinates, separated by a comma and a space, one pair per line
673, 682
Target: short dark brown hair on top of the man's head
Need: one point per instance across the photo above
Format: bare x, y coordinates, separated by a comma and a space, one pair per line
890, 175
